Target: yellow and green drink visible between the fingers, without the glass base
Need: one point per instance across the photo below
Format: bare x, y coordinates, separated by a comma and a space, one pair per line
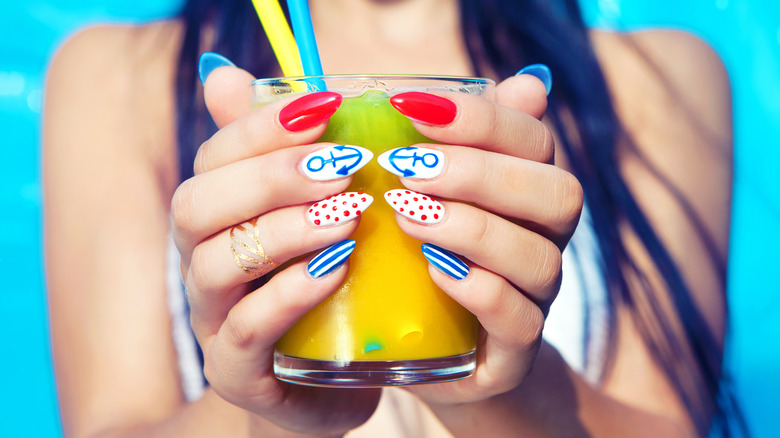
389, 308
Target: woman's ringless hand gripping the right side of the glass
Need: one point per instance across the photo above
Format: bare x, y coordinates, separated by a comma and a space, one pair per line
512, 213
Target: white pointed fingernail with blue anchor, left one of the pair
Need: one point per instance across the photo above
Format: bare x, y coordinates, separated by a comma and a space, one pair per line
335, 162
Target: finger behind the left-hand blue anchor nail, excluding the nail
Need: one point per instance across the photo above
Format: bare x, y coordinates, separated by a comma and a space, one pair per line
211, 202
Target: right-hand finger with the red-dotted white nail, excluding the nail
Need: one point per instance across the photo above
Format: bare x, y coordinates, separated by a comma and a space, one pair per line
524, 258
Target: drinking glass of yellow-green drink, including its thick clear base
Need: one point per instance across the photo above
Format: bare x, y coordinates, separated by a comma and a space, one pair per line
388, 314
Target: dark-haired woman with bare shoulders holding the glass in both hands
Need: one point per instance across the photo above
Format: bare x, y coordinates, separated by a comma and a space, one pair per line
648, 140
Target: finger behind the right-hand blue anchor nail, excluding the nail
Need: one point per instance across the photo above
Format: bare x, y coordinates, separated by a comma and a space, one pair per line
545, 198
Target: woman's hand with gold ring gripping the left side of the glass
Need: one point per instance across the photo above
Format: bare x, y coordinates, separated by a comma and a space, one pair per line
248, 188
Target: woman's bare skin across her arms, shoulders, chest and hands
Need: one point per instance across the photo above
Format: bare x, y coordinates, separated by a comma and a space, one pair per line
107, 224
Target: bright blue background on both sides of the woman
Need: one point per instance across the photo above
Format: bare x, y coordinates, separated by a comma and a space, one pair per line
746, 33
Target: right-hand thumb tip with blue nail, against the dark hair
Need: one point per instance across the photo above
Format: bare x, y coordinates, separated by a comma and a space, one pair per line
526, 91
